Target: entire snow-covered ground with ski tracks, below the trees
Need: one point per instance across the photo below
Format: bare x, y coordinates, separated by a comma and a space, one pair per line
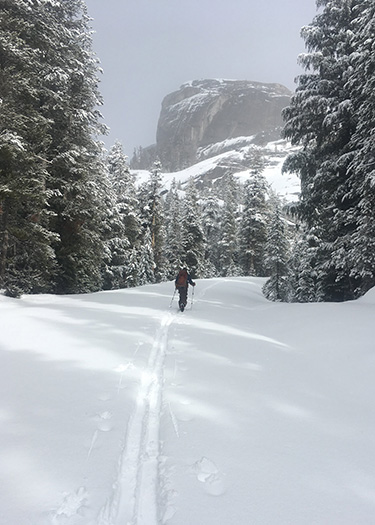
118, 410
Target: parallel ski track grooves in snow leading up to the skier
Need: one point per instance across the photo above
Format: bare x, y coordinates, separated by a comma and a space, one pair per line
135, 497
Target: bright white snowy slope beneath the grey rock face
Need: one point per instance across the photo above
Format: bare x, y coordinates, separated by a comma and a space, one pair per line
233, 155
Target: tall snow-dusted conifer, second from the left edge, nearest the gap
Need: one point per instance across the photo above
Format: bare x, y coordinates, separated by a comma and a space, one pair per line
75, 165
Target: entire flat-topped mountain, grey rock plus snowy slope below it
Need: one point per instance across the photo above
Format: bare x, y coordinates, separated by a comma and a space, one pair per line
210, 128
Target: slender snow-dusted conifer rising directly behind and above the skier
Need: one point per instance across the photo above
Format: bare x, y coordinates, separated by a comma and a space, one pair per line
193, 241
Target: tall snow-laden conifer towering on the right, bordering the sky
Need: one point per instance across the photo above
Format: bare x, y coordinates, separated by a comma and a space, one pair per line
322, 119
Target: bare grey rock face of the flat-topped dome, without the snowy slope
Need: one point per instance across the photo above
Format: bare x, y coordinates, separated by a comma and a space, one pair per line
203, 113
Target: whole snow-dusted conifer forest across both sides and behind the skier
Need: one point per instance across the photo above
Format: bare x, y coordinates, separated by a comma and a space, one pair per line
74, 219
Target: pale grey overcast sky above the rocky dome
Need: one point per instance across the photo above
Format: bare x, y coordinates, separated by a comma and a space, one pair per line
148, 48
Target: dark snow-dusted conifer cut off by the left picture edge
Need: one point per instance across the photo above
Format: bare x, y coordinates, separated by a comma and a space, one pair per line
27, 261
